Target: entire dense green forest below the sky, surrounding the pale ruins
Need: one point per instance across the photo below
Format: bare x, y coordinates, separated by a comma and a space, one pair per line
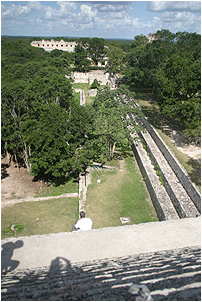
45, 128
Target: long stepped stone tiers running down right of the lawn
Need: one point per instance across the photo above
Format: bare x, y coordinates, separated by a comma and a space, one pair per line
171, 191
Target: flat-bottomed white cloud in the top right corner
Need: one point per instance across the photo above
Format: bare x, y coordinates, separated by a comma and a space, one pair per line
159, 6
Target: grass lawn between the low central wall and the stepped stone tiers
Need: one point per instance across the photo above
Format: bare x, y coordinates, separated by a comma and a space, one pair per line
120, 194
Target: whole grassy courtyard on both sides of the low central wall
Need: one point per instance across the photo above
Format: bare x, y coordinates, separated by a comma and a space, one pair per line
121, 193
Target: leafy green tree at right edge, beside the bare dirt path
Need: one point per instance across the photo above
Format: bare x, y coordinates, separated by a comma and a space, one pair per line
178, 92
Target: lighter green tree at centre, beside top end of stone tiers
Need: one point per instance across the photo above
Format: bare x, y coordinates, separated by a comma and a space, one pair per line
109, 128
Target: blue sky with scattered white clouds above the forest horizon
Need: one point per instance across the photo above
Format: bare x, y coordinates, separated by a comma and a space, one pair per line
102, 19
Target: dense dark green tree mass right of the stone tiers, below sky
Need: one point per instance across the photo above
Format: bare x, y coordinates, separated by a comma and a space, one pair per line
170, 66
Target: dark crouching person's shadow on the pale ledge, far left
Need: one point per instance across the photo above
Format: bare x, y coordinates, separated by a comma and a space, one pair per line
7, 264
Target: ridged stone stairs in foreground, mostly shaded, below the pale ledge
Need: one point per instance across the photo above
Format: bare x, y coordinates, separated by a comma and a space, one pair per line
169, 275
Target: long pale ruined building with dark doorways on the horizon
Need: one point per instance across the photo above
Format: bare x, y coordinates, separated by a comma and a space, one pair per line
52, 45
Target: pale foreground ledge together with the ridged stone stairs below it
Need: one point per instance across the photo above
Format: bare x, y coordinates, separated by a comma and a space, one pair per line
102, 264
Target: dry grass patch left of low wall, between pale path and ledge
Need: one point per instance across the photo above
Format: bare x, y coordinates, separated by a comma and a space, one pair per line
40, 217
